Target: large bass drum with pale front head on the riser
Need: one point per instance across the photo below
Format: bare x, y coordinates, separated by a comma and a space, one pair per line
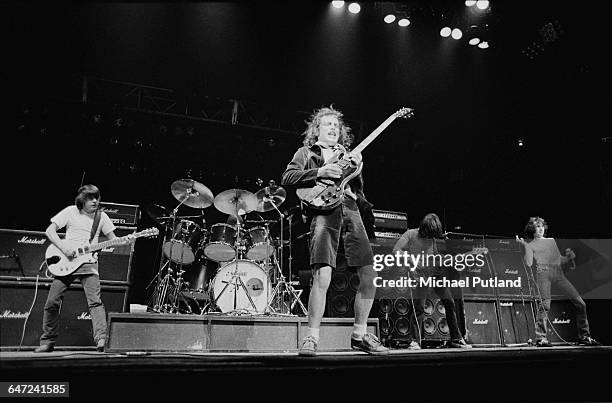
255, 280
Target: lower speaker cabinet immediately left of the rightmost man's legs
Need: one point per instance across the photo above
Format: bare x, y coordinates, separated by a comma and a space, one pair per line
517, 321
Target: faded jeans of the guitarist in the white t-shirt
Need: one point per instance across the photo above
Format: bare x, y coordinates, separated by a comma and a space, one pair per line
51, 316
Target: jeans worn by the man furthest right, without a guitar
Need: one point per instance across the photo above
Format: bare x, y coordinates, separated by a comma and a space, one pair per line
546, 275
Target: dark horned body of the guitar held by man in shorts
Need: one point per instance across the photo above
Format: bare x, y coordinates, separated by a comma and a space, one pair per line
327, 193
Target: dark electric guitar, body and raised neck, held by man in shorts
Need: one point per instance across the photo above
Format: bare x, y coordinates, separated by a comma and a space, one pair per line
327, 193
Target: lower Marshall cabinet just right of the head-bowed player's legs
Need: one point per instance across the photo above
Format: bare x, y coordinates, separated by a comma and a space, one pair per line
482, 324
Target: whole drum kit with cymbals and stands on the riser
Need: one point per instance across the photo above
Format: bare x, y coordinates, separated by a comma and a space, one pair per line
247, 279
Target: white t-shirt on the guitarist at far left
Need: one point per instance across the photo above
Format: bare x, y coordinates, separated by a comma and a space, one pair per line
78, 228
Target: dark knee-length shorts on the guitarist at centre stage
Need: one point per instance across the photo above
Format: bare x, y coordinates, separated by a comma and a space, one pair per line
325, 232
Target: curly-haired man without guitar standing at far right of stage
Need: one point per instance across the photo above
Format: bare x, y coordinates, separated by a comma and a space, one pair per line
543, 253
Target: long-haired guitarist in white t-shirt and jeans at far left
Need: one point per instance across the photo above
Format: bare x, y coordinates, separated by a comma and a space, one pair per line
79, 221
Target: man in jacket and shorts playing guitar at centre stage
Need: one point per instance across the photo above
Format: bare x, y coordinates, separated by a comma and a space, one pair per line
325, 135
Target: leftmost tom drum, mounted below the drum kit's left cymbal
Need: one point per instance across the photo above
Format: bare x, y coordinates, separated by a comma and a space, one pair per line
186, 238
